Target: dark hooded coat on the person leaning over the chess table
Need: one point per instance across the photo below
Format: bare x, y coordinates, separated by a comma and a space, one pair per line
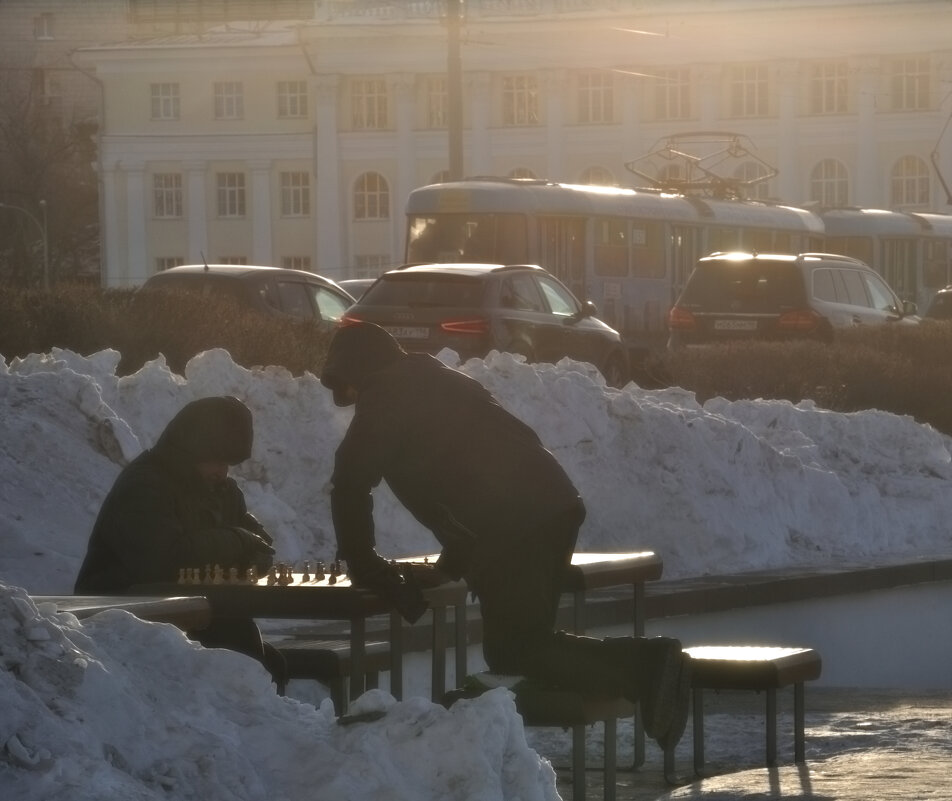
467, 469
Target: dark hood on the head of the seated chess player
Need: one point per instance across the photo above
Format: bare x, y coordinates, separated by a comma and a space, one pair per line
215, 429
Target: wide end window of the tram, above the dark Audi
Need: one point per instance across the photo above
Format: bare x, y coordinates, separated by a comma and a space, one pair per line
486, 238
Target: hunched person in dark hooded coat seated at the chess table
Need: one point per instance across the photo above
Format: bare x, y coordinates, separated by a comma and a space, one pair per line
174, 506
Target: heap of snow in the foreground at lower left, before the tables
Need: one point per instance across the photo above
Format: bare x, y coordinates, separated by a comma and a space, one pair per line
116, 708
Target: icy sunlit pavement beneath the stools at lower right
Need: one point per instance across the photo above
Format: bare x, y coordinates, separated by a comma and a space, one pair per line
862, 745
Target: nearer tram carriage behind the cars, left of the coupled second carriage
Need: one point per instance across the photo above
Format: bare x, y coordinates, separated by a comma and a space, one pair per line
628, 250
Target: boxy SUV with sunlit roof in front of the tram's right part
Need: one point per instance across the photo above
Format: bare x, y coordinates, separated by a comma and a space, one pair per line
733, 296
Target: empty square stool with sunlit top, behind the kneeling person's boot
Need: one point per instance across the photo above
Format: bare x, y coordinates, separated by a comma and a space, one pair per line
757, 668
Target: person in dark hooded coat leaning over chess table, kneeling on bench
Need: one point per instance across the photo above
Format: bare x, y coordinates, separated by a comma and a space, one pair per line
503, 509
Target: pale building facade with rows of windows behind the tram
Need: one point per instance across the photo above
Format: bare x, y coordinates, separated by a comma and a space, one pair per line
296, 144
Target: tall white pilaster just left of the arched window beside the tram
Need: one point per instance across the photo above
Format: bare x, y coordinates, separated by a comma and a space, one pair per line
332, 259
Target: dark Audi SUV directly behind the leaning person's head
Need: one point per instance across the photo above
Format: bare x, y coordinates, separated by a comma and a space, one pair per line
475, 308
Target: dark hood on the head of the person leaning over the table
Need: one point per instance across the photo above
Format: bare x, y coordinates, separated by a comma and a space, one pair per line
356, 352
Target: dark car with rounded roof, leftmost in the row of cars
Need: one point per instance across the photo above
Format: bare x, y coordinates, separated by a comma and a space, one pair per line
270, 290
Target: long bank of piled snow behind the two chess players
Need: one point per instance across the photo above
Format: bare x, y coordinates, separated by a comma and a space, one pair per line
715, 488
